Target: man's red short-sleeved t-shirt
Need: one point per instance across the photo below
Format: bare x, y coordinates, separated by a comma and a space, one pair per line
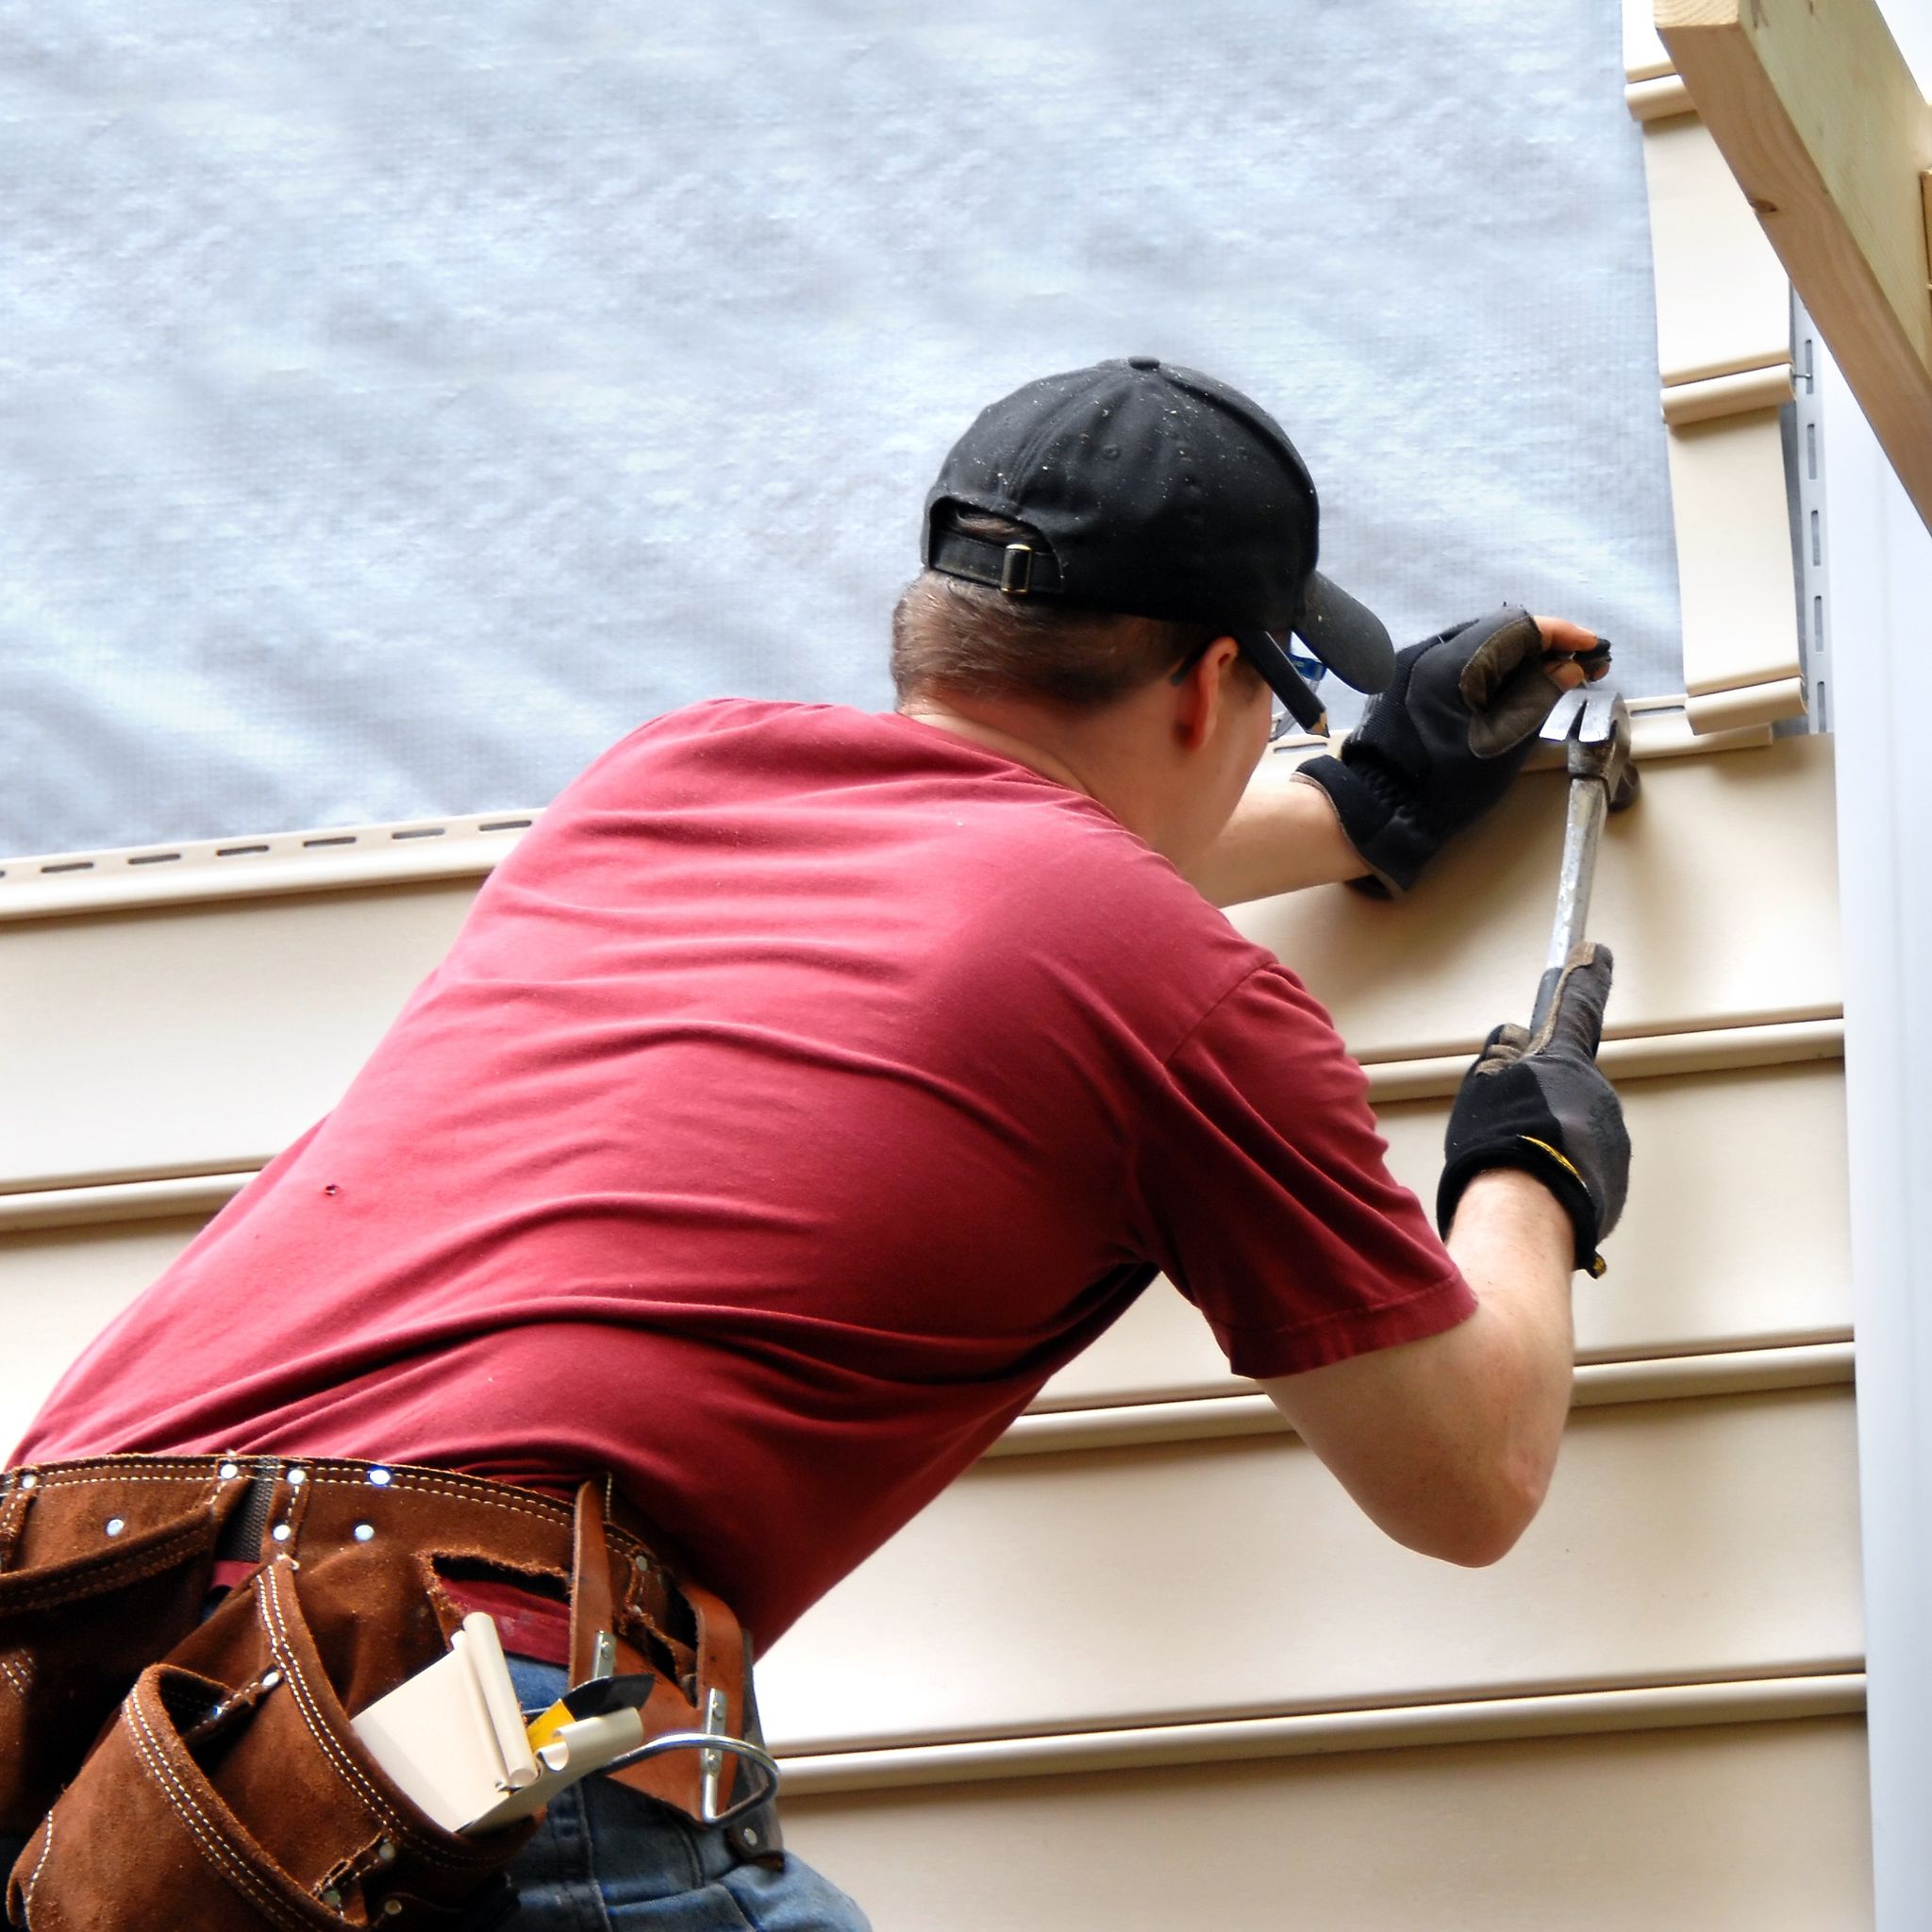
799, 1096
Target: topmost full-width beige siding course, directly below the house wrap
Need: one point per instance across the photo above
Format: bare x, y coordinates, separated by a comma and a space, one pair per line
206, 1037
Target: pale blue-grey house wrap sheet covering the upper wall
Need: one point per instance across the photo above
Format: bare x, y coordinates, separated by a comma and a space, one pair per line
403, 403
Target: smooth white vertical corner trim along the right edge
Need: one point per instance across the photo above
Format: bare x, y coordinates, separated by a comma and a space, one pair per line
1879, 559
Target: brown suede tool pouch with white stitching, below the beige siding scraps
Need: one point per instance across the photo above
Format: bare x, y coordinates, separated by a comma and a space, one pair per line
233, 1794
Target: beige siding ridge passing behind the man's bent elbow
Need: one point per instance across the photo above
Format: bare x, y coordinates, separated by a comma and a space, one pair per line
1595, 1386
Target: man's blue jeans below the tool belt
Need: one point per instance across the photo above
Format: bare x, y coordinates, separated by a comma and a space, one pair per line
610, 1860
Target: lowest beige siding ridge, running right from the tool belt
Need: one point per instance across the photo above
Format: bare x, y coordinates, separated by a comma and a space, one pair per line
1226, 1742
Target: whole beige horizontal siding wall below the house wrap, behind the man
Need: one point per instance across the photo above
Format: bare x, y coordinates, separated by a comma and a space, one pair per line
1147, 1664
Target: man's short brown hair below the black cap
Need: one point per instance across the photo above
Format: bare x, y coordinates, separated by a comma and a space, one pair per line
973, 640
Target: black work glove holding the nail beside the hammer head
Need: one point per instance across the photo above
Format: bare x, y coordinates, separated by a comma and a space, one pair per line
1440, 745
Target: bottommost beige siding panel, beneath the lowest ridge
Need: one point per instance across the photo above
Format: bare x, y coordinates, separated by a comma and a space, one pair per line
1732, 1829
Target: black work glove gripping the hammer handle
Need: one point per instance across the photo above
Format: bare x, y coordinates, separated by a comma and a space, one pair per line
1539, 1104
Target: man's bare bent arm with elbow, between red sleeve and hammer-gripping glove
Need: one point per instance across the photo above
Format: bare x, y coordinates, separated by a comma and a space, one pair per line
1448, 1444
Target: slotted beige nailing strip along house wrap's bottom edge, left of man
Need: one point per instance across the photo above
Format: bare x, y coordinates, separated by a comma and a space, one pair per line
258, 867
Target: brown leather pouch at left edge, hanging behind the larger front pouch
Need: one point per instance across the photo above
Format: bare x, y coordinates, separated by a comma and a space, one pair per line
90, 1593
